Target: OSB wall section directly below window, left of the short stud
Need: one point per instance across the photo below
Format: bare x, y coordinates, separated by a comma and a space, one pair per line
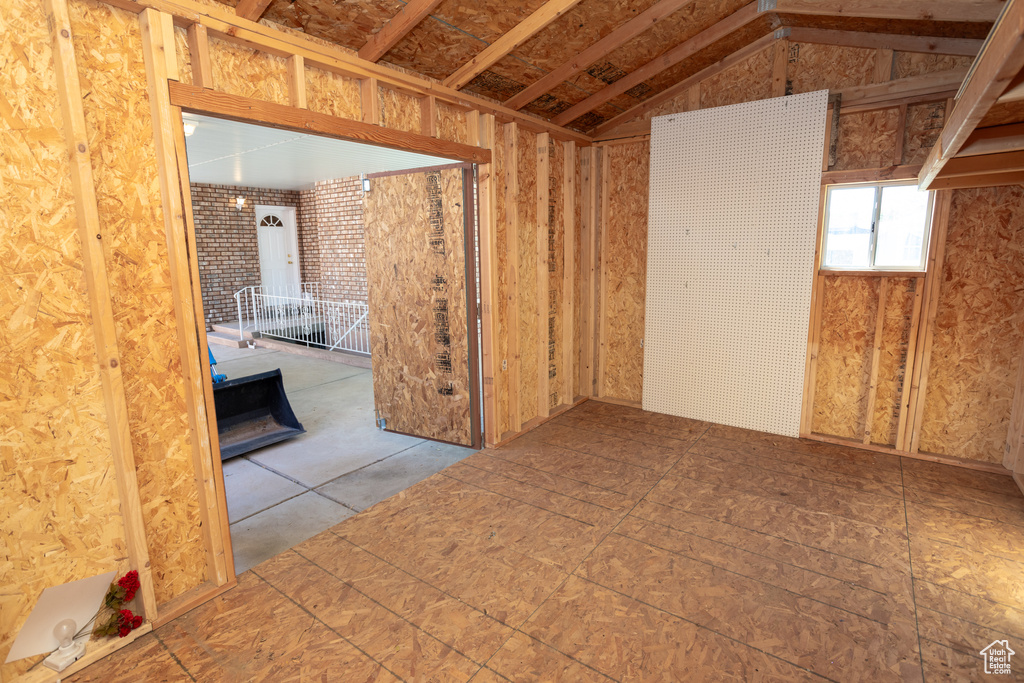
848, 313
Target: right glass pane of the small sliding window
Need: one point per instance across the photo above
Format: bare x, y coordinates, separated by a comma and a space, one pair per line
902, 228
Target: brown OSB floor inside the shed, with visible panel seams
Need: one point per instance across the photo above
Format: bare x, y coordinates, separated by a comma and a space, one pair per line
614, 544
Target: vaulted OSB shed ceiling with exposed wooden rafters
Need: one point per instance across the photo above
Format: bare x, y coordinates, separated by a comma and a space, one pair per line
581, 63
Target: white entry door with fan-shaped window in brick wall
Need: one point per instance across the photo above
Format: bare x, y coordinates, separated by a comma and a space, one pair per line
279, 250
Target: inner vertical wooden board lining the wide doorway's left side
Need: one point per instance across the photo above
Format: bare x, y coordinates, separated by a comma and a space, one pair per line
209, 472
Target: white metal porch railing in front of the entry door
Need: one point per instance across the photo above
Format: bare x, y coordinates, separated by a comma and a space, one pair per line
301, 316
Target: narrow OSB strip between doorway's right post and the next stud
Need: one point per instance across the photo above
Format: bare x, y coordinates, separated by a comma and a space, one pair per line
502, 246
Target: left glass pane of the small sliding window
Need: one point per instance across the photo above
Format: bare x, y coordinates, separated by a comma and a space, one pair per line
848, 243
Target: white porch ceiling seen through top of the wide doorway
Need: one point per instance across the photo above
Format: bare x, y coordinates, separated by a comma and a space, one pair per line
230, 153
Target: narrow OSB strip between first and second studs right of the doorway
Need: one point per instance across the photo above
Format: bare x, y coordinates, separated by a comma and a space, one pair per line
530, 336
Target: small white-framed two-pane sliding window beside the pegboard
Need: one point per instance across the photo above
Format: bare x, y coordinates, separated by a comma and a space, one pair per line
882, 227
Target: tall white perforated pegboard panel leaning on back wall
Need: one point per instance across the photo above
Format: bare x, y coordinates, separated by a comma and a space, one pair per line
734, 216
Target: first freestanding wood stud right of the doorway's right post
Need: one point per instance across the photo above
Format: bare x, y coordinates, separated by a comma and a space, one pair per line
511, 143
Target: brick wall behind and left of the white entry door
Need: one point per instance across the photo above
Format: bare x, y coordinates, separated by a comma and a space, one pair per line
227, 245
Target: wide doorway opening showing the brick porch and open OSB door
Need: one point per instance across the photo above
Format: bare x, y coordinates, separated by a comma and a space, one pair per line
311, 250
